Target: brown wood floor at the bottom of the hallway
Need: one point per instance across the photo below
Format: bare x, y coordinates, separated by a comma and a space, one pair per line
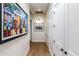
38, 49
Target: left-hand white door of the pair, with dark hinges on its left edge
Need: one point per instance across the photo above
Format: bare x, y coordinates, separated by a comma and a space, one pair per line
59, 29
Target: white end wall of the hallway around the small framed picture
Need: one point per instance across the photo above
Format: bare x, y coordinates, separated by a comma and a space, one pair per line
38, 36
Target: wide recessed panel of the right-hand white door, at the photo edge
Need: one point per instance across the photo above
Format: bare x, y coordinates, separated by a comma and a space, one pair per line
73, 29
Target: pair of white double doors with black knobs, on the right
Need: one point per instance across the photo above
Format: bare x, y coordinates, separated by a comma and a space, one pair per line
66, 31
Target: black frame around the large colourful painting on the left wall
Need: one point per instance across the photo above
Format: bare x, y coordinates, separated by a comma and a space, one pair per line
12, 38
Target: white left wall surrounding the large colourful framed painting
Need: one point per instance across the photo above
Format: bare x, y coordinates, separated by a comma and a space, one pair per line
19, 46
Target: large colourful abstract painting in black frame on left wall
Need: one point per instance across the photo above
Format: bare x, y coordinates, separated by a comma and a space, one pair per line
13, 21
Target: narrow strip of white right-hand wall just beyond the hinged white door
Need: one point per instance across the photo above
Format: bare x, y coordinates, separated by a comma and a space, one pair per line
50, 33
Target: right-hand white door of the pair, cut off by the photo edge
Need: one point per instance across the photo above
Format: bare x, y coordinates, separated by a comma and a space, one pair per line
72, 29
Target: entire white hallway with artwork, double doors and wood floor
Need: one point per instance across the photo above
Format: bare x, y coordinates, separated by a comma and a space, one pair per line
52, 28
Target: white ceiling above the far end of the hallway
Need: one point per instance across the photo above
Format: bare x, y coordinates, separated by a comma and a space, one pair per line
39, 6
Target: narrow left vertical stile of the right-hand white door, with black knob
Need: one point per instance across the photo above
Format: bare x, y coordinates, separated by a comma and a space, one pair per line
66, 28
